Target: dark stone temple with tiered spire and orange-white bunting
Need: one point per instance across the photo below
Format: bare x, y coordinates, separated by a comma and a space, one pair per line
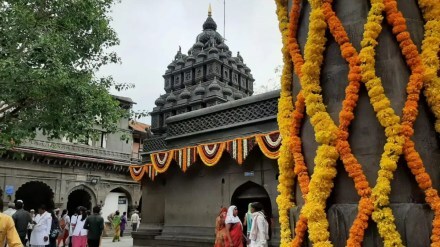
214, 145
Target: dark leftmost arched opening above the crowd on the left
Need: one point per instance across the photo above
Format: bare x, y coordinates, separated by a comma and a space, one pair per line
34, 194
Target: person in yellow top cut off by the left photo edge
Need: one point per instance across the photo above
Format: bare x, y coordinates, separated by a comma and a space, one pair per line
8, 232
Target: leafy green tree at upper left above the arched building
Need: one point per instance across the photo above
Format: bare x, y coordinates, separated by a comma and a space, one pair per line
50, 51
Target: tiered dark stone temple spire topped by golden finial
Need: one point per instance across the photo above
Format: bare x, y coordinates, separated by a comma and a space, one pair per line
208, 75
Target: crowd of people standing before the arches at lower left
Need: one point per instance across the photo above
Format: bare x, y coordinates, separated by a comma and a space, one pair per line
49, 229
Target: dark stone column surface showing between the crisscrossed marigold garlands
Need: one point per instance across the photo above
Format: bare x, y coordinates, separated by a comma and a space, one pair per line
413, 216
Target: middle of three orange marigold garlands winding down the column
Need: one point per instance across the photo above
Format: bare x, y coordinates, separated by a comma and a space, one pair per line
351, 164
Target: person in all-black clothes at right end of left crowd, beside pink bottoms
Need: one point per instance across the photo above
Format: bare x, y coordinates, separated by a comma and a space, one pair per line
95, 225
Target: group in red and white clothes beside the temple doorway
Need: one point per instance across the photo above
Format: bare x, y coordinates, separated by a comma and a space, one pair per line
229, 227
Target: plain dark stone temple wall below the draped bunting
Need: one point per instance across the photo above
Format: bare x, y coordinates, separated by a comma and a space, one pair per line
185, 205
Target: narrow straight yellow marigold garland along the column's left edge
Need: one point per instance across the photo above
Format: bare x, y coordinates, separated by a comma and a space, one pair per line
285, 108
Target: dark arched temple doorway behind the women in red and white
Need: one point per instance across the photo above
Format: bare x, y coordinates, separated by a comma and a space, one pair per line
251, 192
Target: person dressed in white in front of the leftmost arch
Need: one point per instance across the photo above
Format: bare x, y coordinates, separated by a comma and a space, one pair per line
42, 224
